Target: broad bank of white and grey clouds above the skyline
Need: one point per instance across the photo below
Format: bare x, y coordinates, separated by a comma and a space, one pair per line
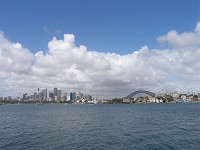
75, 68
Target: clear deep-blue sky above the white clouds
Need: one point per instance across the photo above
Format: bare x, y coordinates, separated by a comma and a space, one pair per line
119, 26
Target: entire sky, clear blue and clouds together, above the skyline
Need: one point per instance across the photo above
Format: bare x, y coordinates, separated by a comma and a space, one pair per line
107, 48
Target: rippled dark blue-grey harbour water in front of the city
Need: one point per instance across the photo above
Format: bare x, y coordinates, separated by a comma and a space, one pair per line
100, 127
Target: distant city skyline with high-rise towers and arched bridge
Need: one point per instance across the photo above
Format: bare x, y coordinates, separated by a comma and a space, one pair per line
58, 95
